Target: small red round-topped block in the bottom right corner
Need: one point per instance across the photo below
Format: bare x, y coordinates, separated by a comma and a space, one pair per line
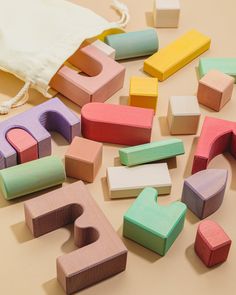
212, 244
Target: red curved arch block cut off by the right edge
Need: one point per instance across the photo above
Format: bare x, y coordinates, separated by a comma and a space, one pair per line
217, 136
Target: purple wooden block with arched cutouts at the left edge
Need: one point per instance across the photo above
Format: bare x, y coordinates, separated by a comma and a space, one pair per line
51, 115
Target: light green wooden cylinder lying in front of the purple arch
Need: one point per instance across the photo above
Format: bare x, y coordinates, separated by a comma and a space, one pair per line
30, 177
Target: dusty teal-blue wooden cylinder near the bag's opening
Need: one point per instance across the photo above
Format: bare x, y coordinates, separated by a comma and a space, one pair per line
133, 44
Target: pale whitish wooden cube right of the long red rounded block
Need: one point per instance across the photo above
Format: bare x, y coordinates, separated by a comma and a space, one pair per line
183, 115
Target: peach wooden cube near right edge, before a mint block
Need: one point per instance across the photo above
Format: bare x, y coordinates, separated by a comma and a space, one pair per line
215, 90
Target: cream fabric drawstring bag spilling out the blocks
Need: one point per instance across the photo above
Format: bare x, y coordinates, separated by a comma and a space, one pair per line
38, 36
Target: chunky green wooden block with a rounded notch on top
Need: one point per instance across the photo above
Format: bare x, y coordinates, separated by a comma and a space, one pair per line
152, 226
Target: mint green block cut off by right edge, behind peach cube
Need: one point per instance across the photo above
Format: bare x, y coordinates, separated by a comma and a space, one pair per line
224, 65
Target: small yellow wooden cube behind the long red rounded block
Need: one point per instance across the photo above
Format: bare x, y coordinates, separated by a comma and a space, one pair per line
143, 92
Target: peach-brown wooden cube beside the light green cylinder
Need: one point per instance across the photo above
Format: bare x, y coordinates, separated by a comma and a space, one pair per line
83, 159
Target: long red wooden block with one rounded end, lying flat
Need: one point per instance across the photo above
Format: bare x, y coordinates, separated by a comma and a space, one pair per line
117, 124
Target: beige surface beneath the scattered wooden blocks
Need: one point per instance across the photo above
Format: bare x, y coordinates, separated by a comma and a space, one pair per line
27, 265
